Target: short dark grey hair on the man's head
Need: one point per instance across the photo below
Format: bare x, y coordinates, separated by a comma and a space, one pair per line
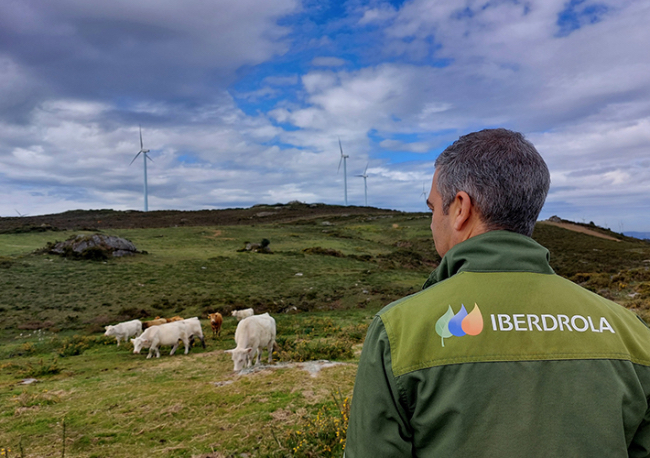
502, 172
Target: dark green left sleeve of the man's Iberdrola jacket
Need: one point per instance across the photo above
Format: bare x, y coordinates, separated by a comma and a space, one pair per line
378, 424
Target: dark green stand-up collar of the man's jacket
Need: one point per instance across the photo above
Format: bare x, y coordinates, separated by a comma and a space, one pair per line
494, 251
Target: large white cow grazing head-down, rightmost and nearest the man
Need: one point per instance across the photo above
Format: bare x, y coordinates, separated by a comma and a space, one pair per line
252, 335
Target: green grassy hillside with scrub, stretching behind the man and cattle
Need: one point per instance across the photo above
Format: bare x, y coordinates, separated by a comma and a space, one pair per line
331, 268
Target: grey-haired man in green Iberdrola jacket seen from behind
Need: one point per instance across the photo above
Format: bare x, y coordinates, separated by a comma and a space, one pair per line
498, 356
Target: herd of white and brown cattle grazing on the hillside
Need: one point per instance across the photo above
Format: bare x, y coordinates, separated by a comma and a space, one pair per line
253, 334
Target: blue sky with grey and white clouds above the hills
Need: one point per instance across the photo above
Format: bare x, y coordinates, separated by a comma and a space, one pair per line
244, 102
